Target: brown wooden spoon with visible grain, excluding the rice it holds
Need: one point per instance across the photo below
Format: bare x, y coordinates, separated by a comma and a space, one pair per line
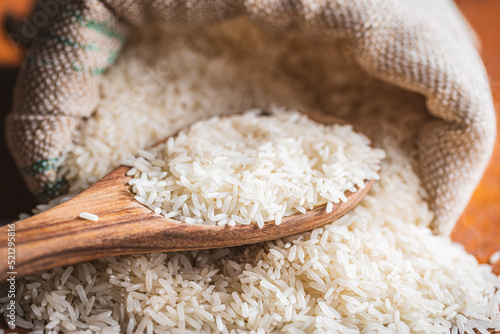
59, 237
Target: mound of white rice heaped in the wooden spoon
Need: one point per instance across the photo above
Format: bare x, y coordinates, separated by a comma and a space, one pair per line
253, 168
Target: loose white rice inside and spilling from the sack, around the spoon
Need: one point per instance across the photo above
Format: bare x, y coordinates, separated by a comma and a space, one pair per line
377, 269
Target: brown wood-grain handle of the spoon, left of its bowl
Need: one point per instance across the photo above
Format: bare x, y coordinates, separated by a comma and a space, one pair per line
59, 236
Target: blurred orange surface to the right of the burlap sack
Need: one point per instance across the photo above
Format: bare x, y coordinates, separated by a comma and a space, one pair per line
479, 227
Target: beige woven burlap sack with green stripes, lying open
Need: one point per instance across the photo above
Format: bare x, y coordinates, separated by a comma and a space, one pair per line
420, 45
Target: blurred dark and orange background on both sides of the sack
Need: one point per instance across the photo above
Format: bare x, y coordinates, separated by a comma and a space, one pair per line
479, 227
